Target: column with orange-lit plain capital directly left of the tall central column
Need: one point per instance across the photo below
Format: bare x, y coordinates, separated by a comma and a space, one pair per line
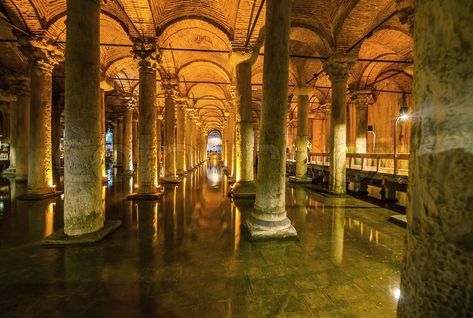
245, 186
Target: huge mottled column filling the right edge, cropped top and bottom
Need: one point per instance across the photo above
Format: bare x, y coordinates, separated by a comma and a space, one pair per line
436, 276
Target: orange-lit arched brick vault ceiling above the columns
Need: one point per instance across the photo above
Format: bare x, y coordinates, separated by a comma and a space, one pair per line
319, 28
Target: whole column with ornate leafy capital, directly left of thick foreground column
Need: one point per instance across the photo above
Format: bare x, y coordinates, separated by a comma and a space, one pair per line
42, 59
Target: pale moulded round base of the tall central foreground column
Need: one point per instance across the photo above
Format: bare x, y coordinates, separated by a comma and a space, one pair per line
265, 230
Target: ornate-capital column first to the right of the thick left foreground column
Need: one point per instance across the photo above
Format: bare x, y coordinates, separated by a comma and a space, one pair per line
147, 174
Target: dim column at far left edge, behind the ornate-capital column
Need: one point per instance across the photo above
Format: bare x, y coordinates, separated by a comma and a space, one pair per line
21, 87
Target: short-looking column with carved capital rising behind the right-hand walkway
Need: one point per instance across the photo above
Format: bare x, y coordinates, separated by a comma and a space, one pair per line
362, 100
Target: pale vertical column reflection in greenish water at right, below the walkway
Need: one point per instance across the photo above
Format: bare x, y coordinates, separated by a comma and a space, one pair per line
338, 228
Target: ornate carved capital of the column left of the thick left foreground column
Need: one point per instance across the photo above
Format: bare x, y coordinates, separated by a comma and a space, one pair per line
41, 51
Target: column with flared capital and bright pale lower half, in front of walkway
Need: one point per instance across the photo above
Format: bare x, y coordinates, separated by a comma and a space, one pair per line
337, 67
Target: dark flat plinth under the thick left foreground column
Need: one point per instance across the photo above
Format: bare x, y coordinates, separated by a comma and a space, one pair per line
59, 238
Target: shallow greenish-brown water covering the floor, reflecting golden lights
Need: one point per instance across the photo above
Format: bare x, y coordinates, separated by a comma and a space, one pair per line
187, 255
